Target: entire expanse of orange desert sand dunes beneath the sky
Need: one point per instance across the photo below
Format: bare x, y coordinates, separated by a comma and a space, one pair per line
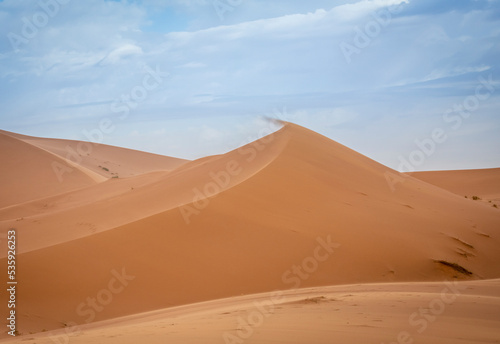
291, 210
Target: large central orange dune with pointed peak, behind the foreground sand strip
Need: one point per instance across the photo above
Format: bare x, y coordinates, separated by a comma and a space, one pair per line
294, 209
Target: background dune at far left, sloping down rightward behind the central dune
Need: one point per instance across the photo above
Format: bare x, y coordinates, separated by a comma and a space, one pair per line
34, 168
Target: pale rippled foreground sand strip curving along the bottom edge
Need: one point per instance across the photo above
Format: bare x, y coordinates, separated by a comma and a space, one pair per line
439, 312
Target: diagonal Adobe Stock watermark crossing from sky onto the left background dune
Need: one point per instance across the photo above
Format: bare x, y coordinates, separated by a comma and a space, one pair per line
123, 105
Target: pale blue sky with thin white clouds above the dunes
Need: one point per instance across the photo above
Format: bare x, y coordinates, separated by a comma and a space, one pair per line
412, 84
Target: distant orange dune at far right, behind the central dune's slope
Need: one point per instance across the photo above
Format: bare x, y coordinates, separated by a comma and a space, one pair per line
484, 183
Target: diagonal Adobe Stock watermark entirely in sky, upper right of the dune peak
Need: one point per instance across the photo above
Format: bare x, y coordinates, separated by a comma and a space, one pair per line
363, 37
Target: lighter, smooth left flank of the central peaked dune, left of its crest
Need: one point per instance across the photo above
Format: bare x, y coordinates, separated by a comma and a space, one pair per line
120, 201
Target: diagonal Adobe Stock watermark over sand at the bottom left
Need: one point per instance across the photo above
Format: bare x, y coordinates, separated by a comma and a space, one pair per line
87, 309
